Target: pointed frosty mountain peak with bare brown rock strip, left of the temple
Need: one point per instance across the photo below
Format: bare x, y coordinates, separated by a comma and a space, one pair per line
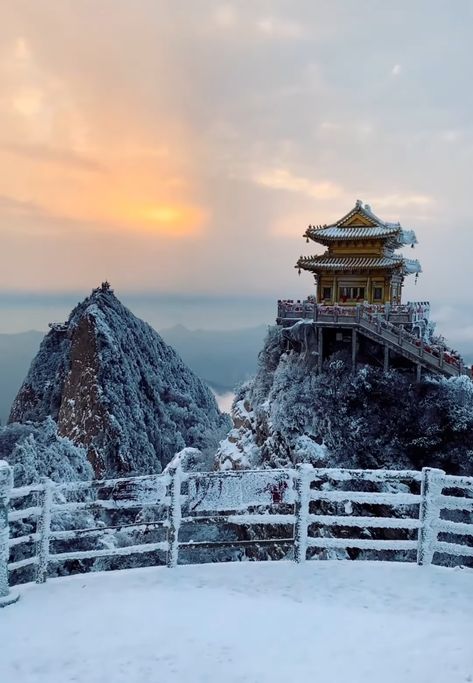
113, 386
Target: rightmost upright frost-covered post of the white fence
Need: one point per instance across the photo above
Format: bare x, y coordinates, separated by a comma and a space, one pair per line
429, 513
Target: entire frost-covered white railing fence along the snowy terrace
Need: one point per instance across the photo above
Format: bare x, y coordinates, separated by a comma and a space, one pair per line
310, 512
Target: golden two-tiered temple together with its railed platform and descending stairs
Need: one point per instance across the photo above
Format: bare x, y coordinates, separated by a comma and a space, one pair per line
357, 306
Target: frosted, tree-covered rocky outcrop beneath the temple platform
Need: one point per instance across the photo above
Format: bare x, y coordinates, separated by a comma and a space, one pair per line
290, 412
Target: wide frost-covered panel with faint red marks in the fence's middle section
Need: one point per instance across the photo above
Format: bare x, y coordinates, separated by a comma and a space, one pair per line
240, 490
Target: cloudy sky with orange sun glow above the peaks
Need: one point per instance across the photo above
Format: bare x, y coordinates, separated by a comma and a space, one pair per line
179, 149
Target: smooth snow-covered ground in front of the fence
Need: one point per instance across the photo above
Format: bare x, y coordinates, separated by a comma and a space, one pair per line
333, 622
